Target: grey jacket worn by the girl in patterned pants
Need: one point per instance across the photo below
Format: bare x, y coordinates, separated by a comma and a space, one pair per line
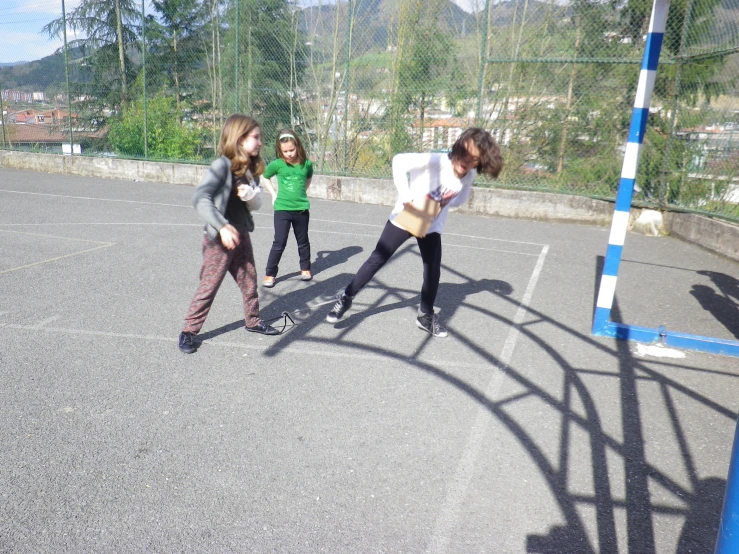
211, 196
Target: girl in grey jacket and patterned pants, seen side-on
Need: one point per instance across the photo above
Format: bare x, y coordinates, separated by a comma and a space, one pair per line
219, 201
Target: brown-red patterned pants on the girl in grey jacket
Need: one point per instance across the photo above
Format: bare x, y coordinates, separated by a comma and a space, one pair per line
217, 260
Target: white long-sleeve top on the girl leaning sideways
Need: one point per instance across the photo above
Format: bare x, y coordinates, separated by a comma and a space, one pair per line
429, 174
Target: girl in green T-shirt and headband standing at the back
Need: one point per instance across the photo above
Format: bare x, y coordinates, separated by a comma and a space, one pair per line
292, 207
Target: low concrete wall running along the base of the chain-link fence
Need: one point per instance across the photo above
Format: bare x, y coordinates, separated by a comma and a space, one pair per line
715, 235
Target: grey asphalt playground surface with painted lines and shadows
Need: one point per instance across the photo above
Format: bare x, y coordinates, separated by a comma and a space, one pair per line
520, 432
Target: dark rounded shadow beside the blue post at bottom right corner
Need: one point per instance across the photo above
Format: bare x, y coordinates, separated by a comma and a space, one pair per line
704, 517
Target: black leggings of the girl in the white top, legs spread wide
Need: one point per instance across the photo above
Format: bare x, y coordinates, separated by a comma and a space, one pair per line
390, 240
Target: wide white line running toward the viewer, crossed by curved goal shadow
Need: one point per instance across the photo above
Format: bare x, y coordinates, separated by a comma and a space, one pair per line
457, 490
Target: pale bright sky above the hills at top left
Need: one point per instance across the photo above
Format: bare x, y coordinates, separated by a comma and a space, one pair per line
21, 22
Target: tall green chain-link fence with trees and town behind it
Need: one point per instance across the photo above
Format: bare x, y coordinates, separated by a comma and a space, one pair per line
361, 80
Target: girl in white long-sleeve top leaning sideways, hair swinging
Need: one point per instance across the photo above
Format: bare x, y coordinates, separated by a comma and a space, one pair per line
445, 178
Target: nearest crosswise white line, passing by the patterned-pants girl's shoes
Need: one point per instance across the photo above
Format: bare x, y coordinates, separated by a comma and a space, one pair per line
241, 346
